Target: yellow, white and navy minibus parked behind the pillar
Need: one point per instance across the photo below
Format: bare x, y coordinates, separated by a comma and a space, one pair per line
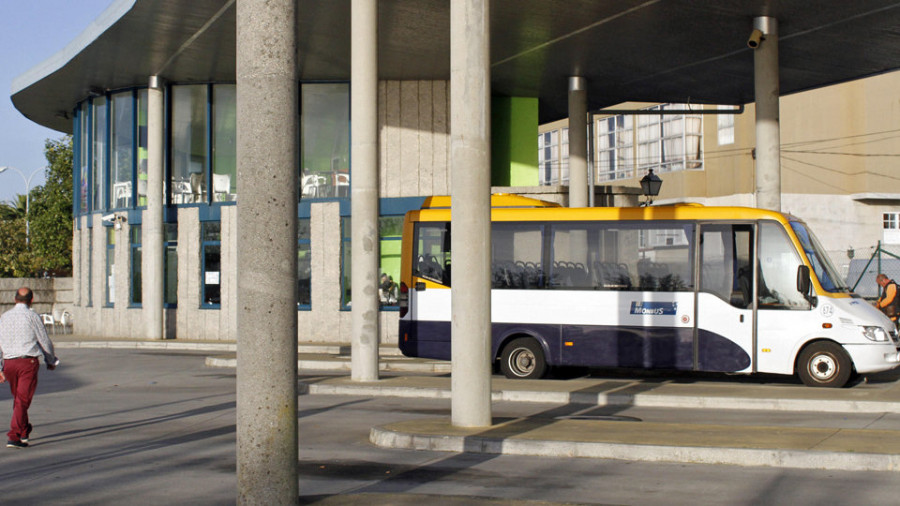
675, 287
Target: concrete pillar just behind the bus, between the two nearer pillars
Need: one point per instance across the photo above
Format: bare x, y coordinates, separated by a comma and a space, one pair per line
364, 201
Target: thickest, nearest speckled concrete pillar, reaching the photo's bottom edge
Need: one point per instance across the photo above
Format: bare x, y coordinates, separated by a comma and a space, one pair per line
267, 161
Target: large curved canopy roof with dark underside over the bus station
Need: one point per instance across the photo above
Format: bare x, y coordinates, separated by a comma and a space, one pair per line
682, 51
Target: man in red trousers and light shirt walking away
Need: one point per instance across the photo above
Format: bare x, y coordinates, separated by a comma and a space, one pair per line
23, 340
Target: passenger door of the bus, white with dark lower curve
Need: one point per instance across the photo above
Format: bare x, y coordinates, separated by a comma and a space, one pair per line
724, 318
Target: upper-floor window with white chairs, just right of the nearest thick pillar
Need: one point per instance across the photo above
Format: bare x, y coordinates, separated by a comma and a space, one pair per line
325, 140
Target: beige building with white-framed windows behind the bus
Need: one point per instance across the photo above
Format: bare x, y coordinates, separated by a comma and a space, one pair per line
840, 146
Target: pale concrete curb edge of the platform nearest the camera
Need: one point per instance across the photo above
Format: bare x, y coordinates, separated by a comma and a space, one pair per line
769, 457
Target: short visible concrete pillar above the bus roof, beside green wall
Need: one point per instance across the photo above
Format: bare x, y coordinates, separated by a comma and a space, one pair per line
578, 190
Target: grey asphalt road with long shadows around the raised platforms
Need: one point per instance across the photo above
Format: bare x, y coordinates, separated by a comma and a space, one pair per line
138, 427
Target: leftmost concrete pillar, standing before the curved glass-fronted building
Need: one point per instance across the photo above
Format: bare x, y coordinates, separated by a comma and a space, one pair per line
152, 240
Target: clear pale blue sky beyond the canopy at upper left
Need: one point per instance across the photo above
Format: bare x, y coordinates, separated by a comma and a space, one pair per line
32, 31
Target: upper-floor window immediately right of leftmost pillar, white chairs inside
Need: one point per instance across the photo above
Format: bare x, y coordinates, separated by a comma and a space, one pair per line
188, 144
